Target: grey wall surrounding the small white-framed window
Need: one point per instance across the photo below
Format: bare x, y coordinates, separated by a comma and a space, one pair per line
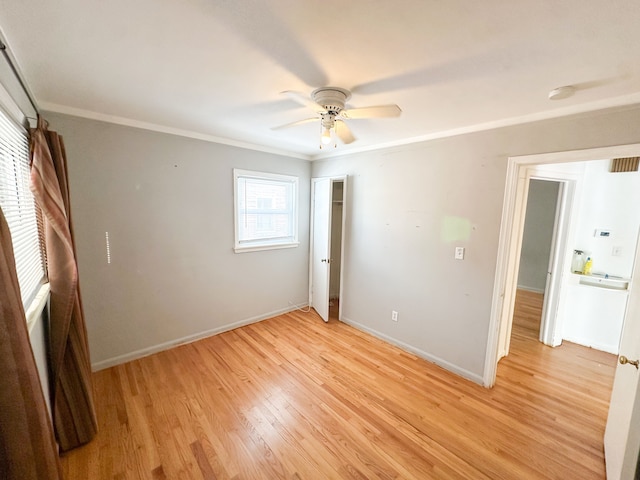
167, 203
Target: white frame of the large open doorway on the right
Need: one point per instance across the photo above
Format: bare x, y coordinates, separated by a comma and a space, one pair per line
510, 238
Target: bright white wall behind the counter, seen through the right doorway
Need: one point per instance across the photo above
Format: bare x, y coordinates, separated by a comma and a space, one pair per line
590, 315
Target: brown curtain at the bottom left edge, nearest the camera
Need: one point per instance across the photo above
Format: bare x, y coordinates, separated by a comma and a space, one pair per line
28, 450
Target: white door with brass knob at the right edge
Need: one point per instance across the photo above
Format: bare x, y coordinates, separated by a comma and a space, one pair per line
622, 435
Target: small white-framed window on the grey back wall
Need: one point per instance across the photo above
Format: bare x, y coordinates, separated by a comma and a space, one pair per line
266, 208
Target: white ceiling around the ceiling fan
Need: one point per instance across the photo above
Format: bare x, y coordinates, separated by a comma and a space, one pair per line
215, 68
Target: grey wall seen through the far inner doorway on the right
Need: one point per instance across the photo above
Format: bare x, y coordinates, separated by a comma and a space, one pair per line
537, 235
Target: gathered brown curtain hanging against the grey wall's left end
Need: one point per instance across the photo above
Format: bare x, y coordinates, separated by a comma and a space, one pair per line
74, 416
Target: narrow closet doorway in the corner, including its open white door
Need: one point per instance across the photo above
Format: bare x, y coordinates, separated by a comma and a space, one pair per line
326, 251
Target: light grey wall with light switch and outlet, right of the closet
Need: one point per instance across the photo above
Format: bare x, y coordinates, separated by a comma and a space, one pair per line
411, 205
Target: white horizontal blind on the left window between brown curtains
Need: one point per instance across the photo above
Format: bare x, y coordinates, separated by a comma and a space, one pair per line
18, 205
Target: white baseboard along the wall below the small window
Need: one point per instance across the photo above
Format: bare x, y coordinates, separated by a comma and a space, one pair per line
144, 352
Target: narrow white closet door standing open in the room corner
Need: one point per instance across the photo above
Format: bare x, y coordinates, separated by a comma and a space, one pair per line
321, 246
